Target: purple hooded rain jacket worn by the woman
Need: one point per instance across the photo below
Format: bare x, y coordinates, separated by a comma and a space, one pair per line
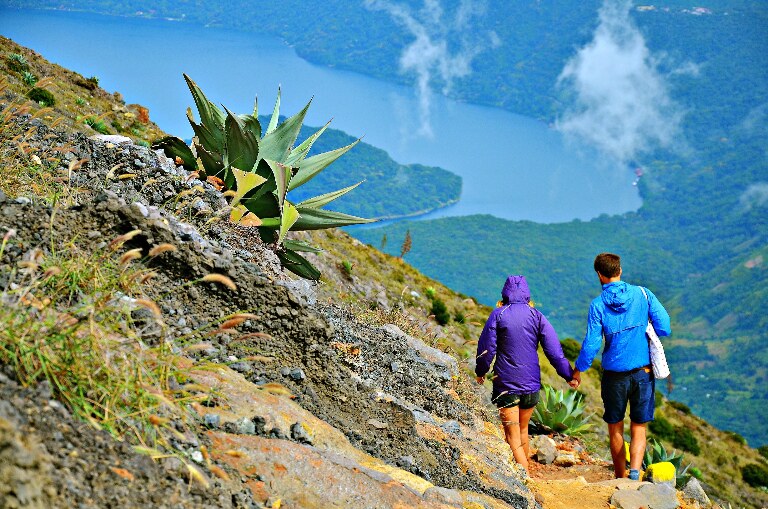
512, 335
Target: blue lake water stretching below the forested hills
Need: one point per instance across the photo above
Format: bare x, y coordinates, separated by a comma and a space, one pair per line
512, 166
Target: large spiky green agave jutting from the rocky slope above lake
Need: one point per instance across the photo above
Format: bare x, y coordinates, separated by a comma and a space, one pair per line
259, 168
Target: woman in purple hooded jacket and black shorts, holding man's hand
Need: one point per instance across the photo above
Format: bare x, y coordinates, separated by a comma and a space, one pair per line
511, 336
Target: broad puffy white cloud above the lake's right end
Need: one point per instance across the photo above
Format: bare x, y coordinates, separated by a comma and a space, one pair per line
621, 100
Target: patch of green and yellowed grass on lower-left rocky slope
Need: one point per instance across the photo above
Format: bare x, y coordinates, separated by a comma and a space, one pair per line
71, 318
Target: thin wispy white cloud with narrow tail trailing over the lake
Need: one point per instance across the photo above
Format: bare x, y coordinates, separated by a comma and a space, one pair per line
442, 49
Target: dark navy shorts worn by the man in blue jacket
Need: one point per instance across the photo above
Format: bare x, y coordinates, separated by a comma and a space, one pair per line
638, 388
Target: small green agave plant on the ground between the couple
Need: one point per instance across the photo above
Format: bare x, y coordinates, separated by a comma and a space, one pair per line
562, 411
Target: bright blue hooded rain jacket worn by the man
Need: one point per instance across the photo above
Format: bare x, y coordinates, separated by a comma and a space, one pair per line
621, 314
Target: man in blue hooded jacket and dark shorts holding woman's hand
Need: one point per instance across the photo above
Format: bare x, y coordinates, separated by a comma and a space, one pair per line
621, 314
